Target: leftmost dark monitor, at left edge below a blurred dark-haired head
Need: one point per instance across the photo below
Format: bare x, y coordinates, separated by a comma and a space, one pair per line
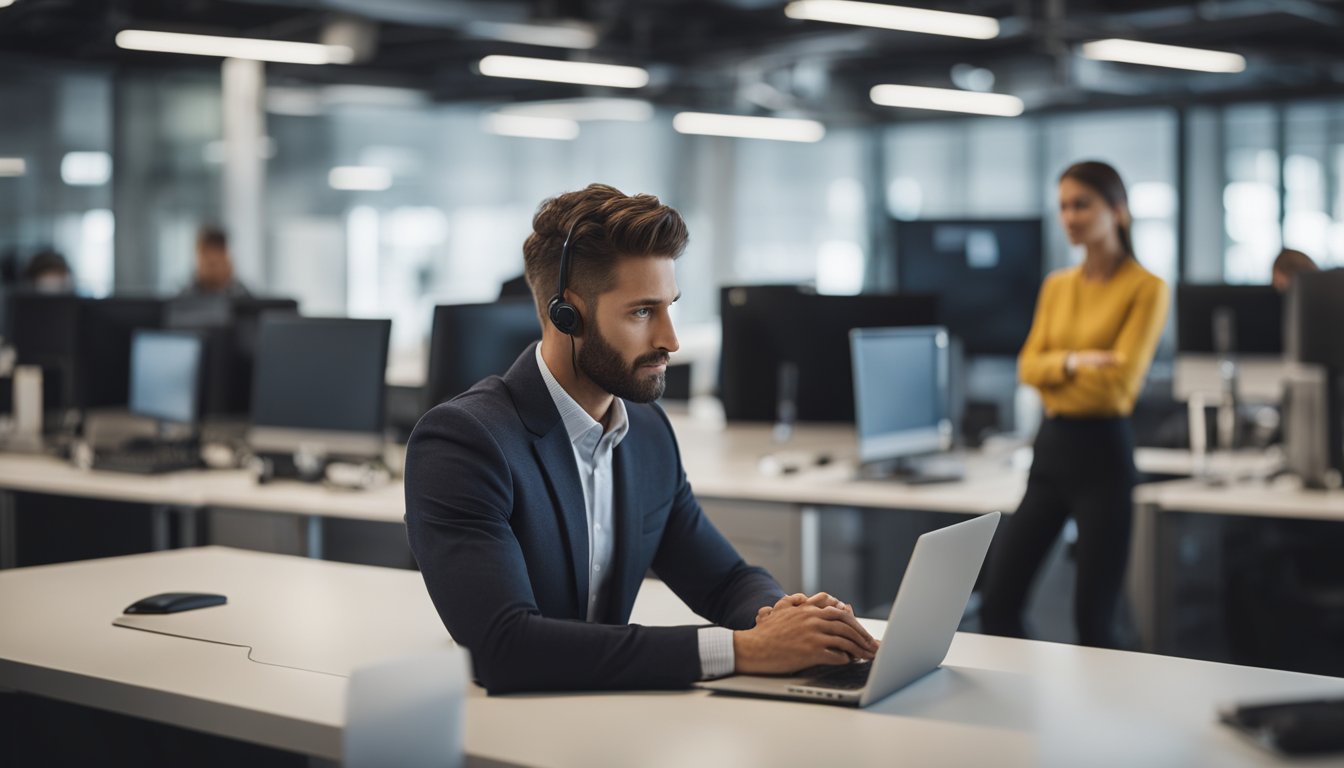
46, 333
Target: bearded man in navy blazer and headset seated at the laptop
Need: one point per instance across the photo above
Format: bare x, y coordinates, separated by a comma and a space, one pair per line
538, 501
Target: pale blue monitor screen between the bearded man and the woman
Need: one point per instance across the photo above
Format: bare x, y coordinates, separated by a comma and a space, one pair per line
901, 380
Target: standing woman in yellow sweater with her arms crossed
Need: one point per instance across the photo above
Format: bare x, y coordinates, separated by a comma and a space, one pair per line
1091, 344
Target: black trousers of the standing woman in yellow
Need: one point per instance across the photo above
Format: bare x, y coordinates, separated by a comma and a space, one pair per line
1083, 469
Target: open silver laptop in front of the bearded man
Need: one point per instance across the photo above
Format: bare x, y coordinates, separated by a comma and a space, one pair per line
924, 619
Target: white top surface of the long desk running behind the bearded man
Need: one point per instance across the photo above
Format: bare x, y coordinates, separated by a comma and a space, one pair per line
722, 463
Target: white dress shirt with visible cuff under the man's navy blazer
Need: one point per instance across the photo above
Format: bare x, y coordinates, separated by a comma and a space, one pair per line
593, 450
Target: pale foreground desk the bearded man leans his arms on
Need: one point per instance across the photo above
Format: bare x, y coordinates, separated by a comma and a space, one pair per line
1001, 701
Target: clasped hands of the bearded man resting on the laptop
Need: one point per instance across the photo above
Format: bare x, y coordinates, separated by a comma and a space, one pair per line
800, 631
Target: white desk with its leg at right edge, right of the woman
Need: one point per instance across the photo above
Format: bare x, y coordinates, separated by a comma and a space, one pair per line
1283, 500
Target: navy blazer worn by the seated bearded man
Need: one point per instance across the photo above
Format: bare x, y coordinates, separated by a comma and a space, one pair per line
497, 520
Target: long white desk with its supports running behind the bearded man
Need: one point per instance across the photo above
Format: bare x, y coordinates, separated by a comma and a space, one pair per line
775, 520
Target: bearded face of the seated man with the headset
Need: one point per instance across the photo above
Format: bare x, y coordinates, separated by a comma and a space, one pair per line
628, 334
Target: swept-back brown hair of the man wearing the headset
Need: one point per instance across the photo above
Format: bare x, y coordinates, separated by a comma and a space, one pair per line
608, 225
